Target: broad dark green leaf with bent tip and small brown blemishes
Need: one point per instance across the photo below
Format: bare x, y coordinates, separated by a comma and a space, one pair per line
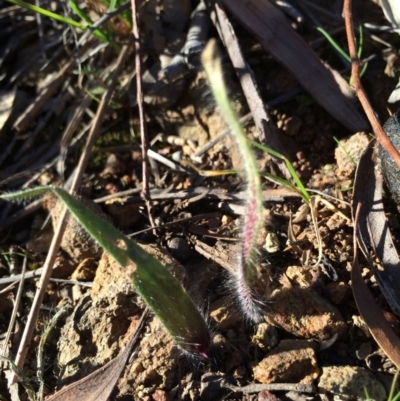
161, 291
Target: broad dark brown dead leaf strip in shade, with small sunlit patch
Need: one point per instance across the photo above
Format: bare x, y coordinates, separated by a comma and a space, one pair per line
276, 35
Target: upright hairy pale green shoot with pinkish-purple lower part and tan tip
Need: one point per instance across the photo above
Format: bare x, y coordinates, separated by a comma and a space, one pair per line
247, 281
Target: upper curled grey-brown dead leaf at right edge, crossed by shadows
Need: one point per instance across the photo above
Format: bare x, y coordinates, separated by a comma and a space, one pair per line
373, 228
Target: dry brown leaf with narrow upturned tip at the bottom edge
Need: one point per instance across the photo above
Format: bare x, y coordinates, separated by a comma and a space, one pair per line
98, 385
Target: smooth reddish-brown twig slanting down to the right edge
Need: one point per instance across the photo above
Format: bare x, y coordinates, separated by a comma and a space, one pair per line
362, 96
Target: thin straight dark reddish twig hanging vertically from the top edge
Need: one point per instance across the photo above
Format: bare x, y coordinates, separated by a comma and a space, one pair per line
143, 126
